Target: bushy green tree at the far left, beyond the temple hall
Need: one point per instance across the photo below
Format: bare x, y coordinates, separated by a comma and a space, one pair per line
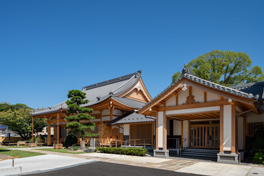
17, 117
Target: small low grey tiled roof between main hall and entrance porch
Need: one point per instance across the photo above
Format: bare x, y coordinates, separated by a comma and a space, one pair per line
132, 118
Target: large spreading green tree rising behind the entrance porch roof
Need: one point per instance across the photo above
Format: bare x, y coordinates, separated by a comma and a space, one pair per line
224, 67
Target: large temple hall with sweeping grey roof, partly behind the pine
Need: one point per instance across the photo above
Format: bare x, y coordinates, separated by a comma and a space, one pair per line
114, 104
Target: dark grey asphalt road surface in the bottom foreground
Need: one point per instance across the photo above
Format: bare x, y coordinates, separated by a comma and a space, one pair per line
104, 168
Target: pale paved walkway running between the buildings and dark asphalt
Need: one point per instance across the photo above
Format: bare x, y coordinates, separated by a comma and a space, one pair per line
171, 164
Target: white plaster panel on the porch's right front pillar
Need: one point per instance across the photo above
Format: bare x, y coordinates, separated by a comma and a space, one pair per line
227, 127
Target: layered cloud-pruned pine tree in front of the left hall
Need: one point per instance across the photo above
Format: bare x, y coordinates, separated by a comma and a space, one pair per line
77, 98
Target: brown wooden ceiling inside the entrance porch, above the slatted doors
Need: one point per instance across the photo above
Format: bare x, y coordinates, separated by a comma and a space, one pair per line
192, 116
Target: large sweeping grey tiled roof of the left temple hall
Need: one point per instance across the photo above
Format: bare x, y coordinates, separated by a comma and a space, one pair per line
99, 92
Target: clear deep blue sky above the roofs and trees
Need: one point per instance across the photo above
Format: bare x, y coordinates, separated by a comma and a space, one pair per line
50, 47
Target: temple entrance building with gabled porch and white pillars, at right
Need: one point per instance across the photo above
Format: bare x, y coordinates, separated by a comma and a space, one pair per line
199, 118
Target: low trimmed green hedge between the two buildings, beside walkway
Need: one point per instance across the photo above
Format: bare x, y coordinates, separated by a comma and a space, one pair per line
123, 151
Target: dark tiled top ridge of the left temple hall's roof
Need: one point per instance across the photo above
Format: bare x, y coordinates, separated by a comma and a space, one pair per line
111, 81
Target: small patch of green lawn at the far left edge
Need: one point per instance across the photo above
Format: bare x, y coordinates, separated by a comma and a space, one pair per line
21, 153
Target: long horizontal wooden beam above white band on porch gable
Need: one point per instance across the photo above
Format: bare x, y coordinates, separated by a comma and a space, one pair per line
193, 106
